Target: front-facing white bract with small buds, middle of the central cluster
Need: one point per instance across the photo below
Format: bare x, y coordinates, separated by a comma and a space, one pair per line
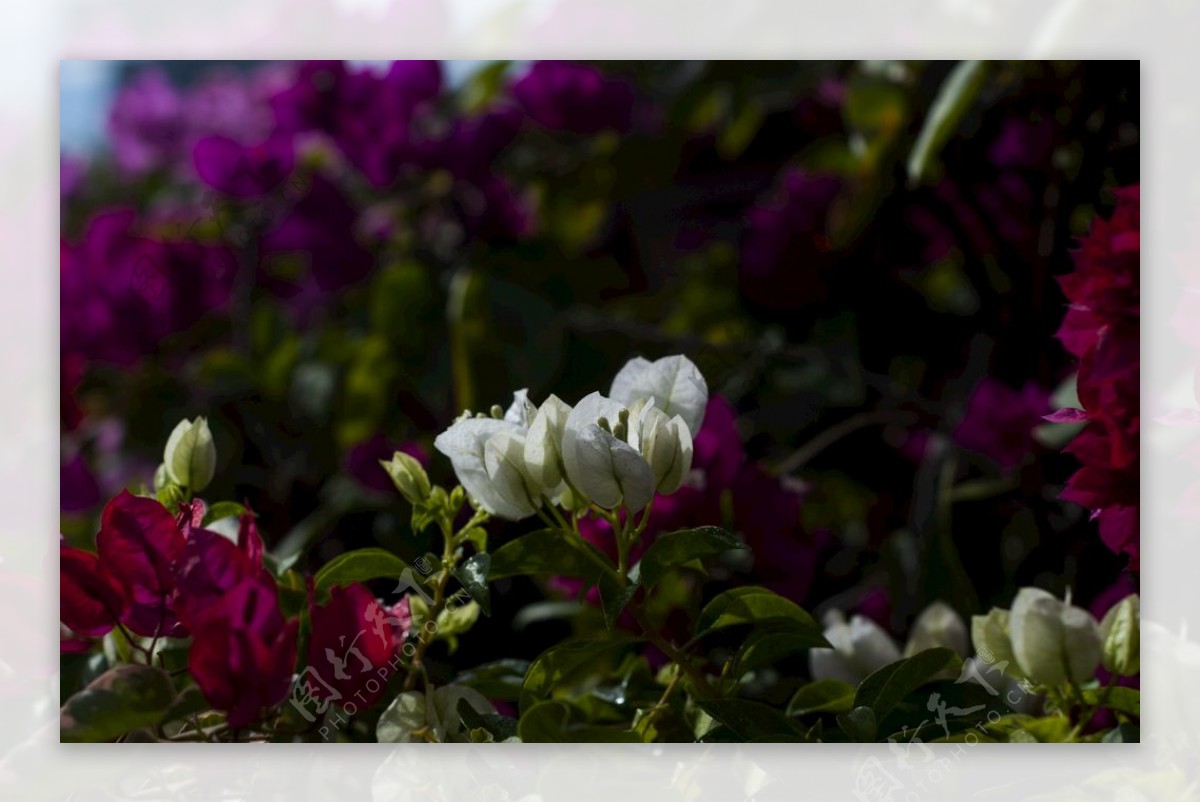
599, 459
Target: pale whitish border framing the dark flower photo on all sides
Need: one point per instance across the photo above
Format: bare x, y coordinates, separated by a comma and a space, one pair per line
37, 35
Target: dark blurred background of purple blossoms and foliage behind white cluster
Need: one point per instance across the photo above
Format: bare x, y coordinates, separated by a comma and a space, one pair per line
850, 253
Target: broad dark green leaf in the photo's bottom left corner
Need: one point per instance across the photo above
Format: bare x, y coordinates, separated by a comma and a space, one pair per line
121, 700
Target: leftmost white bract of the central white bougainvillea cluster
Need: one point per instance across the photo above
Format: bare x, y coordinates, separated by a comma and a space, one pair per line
488, 456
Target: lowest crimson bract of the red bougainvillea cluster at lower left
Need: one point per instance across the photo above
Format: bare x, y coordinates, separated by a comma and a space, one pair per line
244, 651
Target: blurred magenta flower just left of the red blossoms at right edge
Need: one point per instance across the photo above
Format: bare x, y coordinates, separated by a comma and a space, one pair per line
1000, 421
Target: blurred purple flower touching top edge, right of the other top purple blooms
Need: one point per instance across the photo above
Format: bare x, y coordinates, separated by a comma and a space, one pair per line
577, 98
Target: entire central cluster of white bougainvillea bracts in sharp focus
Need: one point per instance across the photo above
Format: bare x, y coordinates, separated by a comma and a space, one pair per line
615, 451
